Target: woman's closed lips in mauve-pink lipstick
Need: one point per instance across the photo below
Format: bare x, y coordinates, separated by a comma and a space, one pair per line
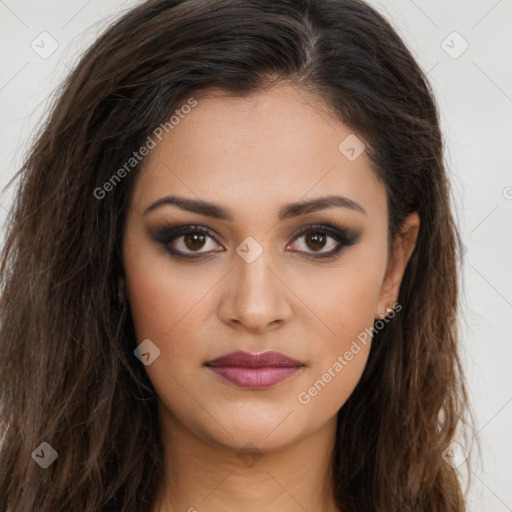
255, 371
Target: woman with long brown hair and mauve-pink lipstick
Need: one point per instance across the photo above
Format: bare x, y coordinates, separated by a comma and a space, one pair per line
230, 275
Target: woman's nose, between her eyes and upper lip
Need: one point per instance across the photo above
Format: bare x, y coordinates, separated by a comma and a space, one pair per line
255, 296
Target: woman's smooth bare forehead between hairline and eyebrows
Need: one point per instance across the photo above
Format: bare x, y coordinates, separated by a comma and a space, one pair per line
259, 151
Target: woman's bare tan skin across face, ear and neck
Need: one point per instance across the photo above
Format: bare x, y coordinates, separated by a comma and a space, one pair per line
253, 155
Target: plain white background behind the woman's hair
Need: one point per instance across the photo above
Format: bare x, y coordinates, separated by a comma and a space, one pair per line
474, 92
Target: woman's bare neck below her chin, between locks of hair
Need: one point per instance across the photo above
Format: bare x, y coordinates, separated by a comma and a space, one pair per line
210, 477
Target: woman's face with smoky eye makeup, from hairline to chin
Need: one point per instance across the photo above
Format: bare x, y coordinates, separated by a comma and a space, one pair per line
255, 278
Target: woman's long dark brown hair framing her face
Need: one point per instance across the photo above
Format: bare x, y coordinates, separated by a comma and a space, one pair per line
68, 375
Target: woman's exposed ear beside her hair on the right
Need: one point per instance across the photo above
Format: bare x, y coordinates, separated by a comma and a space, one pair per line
402, 250
